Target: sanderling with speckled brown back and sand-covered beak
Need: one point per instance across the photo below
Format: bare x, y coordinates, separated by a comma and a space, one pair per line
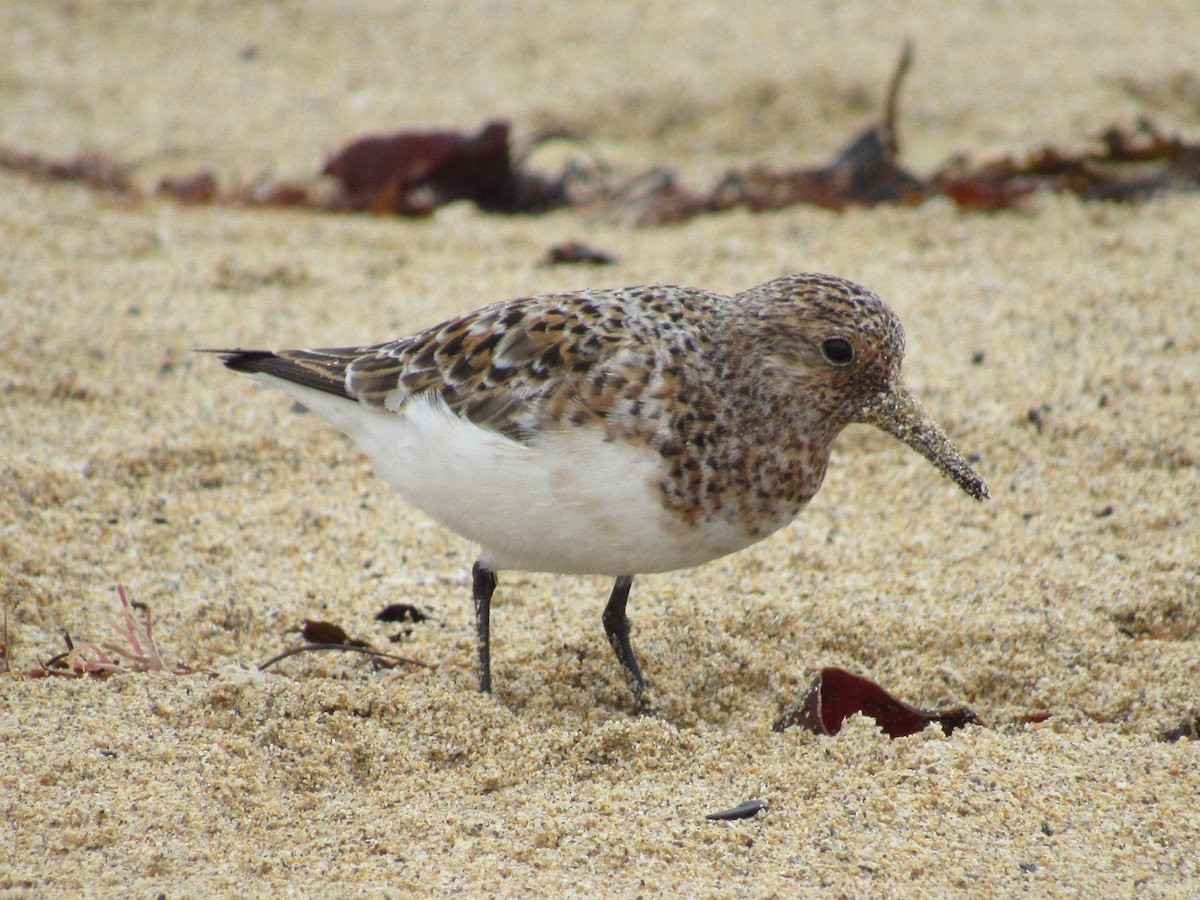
619, 433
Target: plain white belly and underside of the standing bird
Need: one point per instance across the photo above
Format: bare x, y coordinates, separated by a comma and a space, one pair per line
571, 502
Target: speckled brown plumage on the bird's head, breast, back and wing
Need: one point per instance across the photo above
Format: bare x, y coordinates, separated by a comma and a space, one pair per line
731, 392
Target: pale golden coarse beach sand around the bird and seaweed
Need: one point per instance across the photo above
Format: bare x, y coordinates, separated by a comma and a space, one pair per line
128, 459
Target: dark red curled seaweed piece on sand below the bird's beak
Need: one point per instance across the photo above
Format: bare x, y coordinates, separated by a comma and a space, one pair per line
836, 695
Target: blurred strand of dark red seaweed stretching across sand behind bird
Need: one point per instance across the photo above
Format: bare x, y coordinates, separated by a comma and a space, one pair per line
413, 173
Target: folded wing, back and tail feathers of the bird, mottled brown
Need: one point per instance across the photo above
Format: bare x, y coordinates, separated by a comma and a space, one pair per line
508, 367
